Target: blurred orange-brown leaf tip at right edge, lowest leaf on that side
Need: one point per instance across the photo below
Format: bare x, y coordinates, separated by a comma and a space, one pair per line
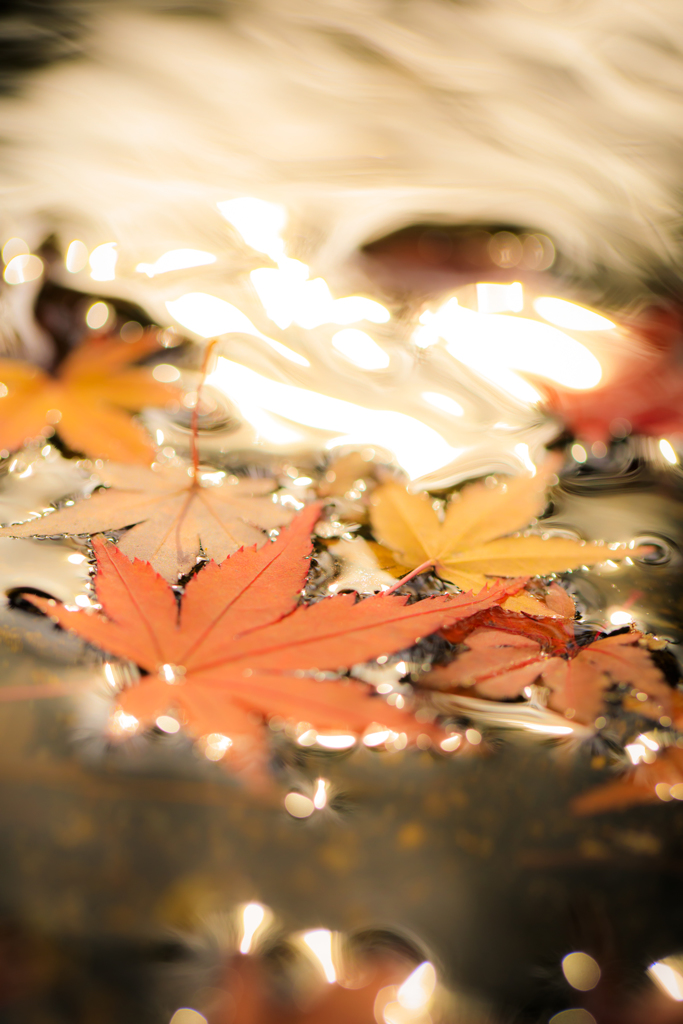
645, 784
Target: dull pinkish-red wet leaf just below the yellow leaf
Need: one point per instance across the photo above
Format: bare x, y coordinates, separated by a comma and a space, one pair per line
500, 666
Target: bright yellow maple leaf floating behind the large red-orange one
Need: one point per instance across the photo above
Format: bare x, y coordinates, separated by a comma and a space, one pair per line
474, 542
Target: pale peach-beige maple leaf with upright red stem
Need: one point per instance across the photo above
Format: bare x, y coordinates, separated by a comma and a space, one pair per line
178, 514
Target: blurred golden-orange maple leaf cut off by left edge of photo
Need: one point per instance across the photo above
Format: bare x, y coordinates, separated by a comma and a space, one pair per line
89, 401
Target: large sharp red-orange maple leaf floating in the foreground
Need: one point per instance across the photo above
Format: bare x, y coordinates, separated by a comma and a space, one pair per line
241, 649
